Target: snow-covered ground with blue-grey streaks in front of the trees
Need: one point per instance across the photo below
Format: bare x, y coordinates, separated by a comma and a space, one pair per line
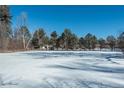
61, 69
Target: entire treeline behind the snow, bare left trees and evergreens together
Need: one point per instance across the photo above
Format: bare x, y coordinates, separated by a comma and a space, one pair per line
22, 39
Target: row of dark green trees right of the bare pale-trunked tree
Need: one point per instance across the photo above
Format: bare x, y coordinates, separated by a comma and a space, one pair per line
69, 41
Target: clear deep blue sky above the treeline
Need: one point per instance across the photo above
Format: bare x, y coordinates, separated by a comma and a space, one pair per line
98, 20
